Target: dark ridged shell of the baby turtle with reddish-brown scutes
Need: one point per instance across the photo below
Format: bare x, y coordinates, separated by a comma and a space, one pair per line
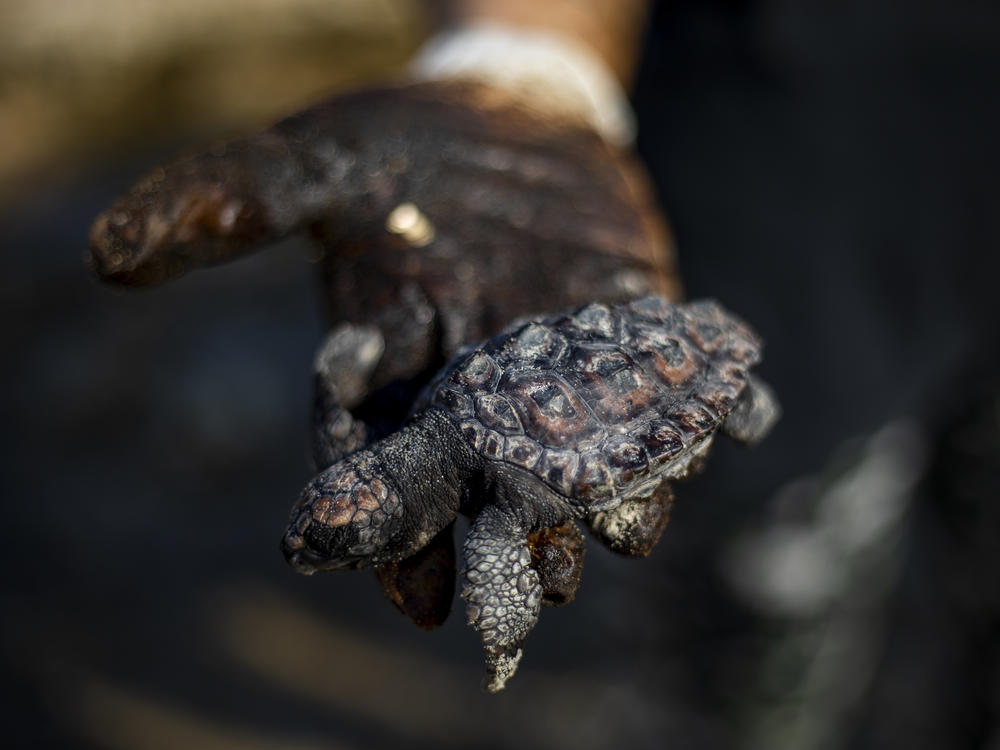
604, 400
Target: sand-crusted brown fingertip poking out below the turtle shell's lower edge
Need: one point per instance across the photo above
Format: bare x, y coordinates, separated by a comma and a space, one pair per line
635, 525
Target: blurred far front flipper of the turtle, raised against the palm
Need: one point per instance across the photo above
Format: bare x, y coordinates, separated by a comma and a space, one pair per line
343, 368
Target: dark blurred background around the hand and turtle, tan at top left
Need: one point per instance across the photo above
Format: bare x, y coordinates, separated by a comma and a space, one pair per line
830, 172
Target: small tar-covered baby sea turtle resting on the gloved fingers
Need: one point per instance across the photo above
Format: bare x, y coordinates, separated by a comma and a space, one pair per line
586, 414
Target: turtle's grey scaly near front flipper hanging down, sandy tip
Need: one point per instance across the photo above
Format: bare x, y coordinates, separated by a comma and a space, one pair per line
502, 591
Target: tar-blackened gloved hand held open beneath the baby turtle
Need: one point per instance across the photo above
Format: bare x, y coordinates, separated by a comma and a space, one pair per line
441, 211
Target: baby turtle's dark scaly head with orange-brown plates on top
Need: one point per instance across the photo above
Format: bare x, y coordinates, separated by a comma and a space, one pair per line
346, 517
